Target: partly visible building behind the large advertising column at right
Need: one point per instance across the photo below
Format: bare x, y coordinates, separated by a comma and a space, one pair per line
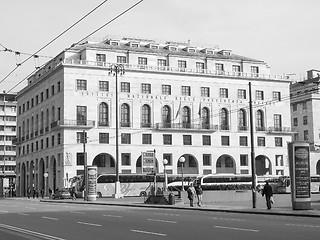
305, 107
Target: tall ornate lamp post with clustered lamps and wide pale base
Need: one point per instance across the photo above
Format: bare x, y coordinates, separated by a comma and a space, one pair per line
116, 69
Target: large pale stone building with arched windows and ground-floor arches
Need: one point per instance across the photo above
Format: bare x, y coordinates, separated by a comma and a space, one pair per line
174, 98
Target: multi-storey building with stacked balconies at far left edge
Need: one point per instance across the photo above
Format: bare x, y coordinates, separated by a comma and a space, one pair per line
8, 119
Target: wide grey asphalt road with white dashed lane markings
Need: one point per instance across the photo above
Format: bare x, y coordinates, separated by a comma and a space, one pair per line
31, 219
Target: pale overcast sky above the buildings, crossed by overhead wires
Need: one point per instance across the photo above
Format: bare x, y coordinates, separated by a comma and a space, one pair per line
283, 33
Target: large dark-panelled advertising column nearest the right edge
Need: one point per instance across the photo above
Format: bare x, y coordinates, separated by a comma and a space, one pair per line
299, 162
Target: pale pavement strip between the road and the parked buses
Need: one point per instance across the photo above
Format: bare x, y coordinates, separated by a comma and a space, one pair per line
282, 205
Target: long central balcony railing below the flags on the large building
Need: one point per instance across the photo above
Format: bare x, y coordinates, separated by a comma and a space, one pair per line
186, 126
